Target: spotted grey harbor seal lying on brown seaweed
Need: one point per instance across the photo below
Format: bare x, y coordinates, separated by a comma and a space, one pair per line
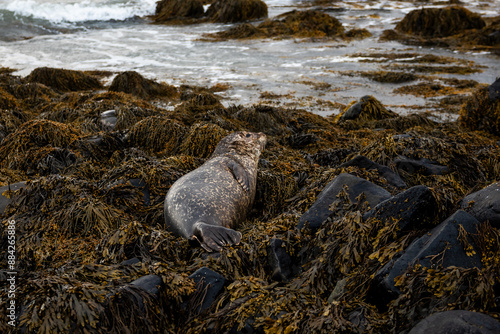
206, 203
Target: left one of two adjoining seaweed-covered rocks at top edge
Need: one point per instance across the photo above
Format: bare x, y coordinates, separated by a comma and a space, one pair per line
167, 10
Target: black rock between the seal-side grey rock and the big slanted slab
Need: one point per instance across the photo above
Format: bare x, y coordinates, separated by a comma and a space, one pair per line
414, 208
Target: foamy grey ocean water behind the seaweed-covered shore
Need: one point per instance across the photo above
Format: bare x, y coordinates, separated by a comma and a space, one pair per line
117, 35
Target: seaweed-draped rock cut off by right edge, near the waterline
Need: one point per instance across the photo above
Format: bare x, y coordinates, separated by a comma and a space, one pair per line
482, 111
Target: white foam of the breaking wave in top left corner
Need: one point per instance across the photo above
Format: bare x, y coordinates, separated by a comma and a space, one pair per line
69, 11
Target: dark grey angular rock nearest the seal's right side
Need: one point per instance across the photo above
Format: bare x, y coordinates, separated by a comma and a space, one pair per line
320, 210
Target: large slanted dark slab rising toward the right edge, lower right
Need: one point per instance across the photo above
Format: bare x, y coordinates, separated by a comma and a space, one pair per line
422, 250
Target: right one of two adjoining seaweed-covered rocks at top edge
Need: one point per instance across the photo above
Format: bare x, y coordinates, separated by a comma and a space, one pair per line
231, 11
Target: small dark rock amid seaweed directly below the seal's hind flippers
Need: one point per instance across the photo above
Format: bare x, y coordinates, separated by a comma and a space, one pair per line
209, 284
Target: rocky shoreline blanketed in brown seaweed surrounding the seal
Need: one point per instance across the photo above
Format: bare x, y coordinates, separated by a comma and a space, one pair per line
364, 222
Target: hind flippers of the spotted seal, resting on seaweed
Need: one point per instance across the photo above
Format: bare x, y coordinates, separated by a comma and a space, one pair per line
213, 237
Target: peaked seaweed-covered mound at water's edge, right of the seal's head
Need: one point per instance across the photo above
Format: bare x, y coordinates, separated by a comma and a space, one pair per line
368, 108
